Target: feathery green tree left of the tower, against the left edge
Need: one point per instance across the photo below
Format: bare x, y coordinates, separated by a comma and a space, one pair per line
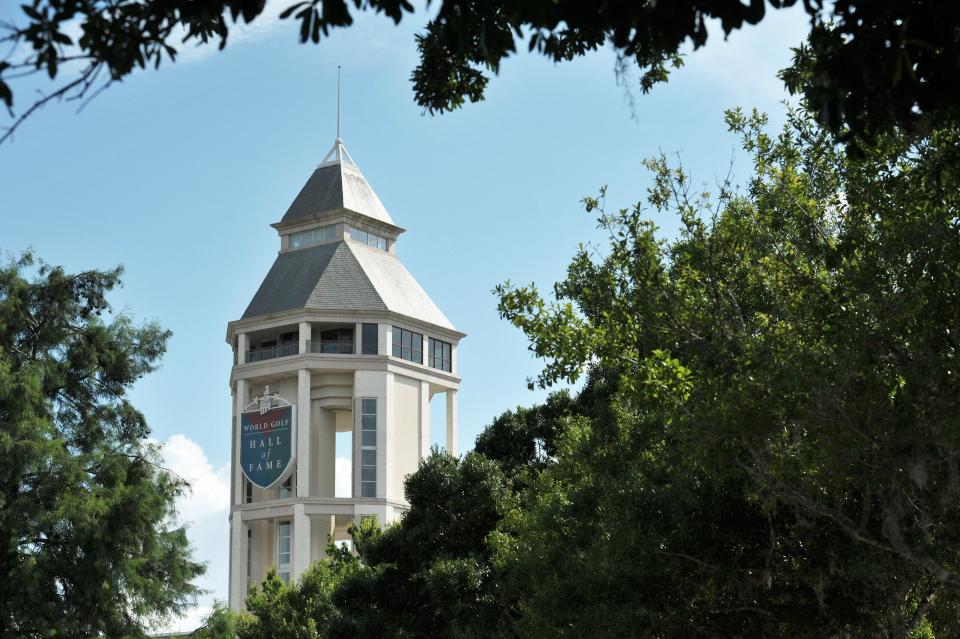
86, 545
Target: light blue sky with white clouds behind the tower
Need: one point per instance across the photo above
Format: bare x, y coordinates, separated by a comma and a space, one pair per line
177, 173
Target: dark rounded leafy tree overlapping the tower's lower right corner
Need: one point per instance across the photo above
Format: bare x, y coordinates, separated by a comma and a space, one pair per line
430, 575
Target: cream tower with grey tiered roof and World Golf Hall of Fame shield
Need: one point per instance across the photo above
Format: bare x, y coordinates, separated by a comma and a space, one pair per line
339, 339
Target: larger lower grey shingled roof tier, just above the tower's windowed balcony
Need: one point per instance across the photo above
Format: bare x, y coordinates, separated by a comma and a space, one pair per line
343, 276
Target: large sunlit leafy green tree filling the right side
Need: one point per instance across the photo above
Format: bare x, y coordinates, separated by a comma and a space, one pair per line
780, 455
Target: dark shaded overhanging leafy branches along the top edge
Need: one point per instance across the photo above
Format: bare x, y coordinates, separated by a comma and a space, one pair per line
868, 66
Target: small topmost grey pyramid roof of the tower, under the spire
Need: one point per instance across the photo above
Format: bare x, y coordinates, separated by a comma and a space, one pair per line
335, 185
